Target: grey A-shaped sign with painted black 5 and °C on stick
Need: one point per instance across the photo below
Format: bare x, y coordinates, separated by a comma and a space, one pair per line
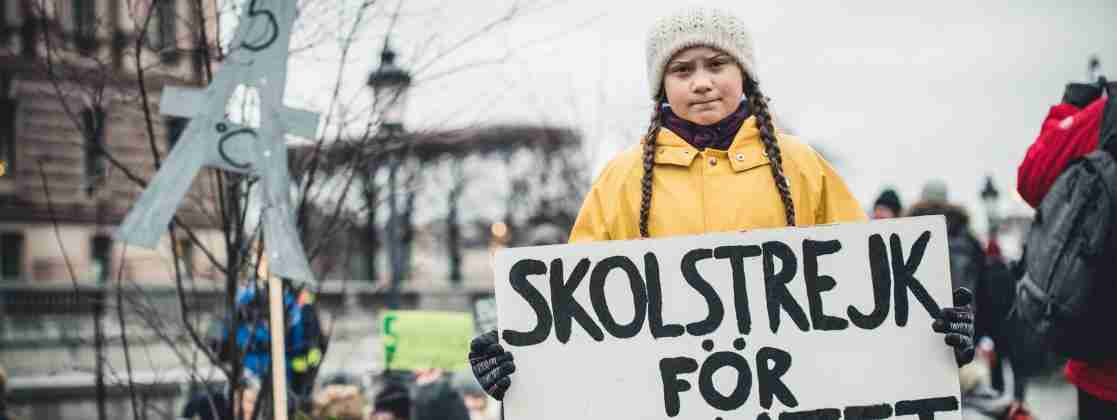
259, 59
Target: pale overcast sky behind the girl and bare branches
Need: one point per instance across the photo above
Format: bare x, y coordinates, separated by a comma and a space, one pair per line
898, 92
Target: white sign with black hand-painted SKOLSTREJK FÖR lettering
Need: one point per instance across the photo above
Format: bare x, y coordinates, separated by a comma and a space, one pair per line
829, 322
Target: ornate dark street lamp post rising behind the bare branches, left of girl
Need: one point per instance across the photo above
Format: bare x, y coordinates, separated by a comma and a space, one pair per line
390, 85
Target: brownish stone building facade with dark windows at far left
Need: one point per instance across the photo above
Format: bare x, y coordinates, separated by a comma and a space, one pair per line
80, 126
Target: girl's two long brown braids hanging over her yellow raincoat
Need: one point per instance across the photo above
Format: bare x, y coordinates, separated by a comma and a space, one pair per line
758, 104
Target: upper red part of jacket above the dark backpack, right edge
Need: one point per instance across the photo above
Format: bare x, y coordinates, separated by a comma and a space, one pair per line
1067, 133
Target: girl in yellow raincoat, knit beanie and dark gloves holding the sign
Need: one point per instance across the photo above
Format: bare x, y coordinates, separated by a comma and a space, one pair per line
712, 161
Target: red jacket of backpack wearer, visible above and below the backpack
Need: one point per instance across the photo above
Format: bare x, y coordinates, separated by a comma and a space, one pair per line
1067, 133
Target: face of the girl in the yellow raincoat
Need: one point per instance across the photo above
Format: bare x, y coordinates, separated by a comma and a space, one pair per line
703, 85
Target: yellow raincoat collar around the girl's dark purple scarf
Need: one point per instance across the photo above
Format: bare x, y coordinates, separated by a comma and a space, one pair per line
747, 151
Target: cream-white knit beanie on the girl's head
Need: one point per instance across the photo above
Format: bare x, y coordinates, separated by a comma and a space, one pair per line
705, 27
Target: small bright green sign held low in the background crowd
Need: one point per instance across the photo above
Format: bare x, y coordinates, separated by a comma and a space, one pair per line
427, 339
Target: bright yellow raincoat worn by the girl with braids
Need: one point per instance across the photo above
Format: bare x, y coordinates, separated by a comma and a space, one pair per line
712, 192
